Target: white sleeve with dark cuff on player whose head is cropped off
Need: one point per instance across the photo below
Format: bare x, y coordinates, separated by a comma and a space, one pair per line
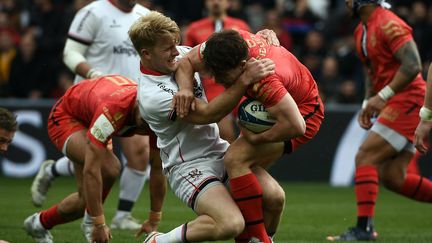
85, 25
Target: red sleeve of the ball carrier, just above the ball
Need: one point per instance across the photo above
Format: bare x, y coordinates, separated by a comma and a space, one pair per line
269, 91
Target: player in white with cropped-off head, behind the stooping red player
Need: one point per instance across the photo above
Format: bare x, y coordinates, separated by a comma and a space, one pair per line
97, 45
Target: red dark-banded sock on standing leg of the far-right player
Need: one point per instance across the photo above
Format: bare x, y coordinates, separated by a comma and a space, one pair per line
366, 189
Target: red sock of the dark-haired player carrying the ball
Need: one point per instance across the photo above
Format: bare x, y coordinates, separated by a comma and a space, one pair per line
247, 193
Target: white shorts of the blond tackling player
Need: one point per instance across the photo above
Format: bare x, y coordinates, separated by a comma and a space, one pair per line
190, 179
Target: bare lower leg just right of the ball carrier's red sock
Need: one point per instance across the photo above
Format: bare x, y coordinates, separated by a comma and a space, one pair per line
273, 200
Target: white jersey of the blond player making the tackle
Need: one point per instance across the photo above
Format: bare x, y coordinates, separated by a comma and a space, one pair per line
178, 141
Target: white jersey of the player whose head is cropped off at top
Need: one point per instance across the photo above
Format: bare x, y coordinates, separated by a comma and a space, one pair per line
103, 28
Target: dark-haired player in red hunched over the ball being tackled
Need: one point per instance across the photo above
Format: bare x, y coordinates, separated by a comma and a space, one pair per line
290, 95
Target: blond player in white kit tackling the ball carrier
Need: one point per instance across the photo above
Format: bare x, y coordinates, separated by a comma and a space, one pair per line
191, 148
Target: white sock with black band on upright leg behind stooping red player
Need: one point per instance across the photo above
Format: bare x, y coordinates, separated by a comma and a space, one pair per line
131, 184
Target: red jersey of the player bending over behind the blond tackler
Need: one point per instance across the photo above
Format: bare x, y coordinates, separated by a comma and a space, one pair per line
103, 105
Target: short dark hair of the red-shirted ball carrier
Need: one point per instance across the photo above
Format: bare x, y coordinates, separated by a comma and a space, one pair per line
224, 51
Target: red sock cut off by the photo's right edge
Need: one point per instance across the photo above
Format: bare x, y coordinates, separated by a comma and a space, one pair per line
417, 188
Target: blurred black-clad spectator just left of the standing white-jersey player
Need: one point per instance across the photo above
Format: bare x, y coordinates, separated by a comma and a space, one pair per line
28, 75
